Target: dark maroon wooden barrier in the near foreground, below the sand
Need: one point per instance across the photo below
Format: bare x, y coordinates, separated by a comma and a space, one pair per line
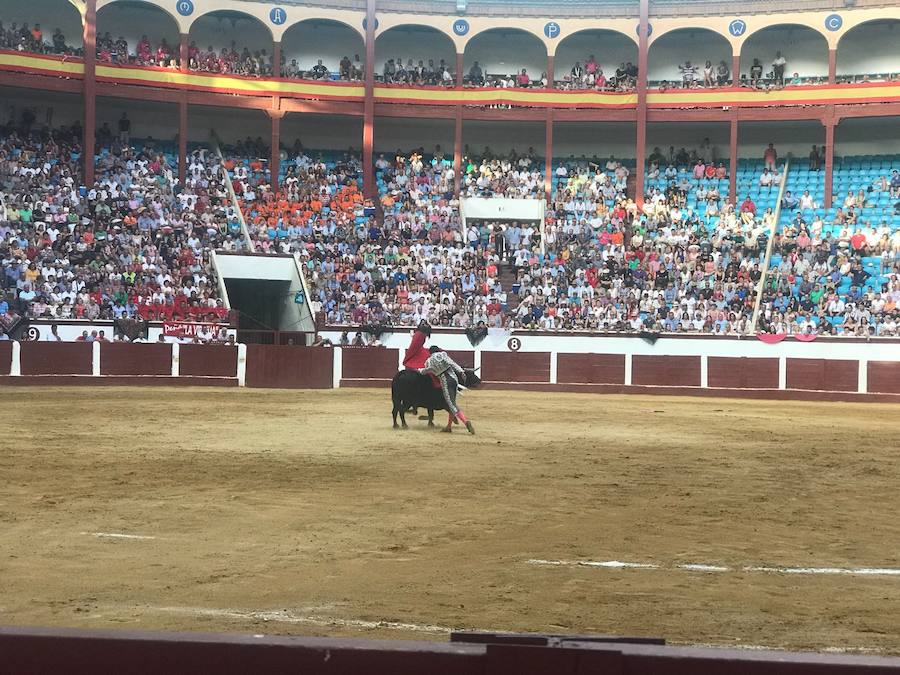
52, 650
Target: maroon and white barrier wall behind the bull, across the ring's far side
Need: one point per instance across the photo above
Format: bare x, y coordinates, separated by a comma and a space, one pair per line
824, 370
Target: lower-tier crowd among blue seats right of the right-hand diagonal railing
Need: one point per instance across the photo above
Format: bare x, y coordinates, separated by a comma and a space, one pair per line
837, 272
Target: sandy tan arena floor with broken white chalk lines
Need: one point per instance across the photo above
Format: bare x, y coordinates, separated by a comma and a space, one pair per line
303, 512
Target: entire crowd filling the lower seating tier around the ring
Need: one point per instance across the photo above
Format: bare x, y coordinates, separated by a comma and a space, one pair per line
138, 244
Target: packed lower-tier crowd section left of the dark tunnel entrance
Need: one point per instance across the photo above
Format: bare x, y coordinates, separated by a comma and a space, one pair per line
133, 244
